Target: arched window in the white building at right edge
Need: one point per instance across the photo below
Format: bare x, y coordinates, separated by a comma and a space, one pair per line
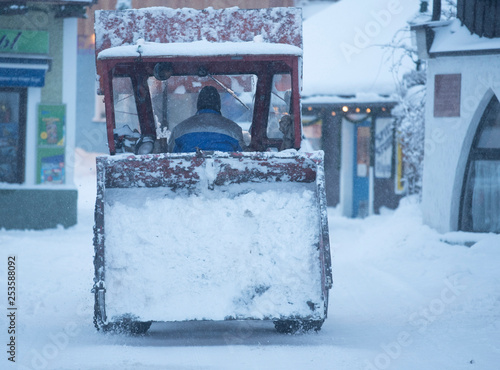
480, 210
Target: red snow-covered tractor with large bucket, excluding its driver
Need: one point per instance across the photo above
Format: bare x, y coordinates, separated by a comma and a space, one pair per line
206, 235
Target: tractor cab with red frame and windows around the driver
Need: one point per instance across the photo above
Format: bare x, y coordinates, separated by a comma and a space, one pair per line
150, 87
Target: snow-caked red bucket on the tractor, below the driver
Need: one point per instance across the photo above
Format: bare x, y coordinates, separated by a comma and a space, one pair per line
211, 237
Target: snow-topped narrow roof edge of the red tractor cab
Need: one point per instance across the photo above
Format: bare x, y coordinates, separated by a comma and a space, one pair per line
199, 48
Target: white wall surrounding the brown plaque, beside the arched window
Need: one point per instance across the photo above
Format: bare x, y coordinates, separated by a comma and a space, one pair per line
448, 140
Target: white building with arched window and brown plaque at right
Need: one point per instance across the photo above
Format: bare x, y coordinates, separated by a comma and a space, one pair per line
461, 183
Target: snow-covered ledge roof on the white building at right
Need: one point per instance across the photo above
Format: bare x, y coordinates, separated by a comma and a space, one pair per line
451, 37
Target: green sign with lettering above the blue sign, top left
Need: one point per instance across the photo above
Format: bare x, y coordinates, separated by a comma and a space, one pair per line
24, 41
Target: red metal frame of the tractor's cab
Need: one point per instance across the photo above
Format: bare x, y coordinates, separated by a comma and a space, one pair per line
263, 66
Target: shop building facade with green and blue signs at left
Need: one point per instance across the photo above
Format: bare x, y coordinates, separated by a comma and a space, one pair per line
38, 44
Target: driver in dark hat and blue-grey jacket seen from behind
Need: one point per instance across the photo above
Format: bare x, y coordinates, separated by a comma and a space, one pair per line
207, 129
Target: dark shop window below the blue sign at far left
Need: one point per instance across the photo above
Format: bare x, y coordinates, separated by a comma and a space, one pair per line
12, 134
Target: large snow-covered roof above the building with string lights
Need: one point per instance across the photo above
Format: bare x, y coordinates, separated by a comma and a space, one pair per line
343, 53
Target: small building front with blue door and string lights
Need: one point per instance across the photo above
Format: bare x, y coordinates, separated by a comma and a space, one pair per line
362, 169
